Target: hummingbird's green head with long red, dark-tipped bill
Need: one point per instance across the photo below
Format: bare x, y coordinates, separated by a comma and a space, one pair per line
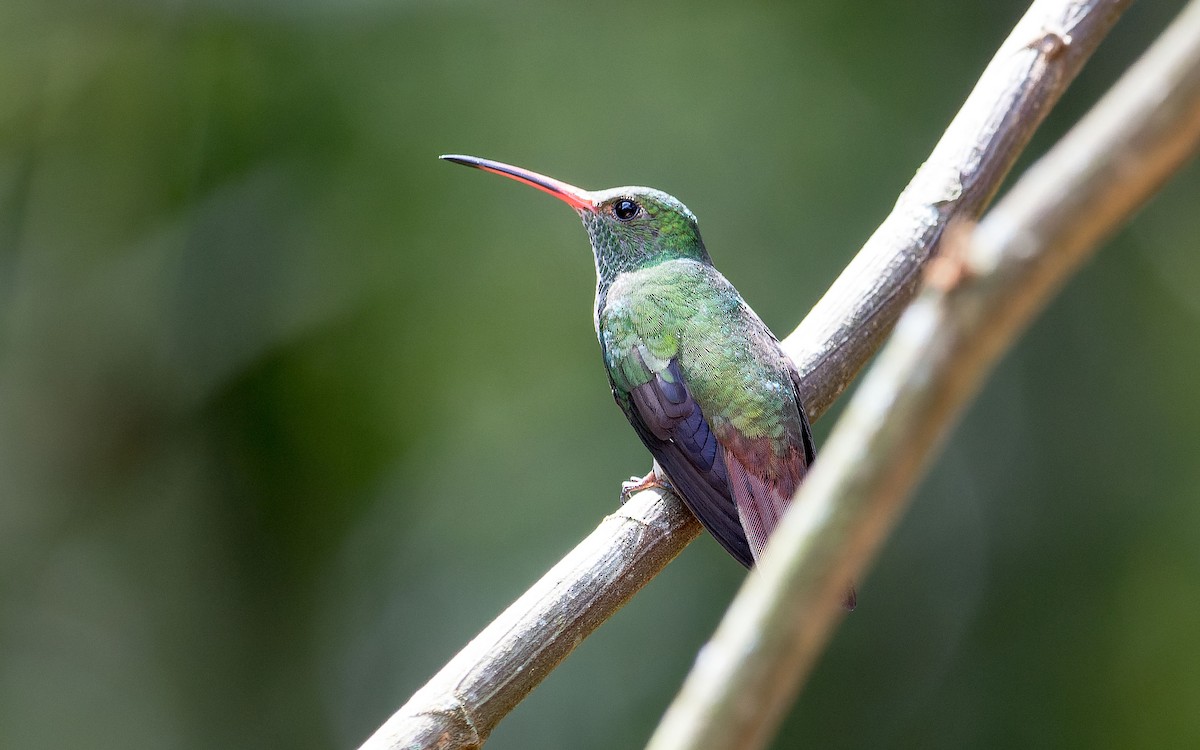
629, 227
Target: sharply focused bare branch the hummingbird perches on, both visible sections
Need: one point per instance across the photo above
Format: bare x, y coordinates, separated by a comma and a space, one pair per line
465, 701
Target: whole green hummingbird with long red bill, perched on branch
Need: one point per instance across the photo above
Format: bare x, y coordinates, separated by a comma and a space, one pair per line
698, 374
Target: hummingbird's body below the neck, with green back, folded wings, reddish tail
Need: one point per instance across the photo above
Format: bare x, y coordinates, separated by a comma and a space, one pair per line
713, 398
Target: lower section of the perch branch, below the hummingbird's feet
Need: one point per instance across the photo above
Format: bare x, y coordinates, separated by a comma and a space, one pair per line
470, 697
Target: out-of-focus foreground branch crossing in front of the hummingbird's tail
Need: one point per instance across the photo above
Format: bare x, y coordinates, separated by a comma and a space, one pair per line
977, 299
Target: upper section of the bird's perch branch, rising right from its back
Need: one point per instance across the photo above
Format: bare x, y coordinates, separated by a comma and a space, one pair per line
1024, 81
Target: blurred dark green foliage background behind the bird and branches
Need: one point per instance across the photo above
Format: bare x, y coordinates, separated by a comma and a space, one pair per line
290, 410
